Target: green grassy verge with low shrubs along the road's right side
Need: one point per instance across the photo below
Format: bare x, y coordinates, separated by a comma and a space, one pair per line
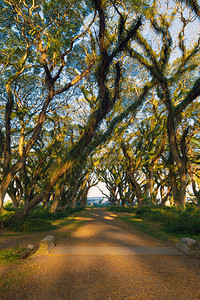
163, 223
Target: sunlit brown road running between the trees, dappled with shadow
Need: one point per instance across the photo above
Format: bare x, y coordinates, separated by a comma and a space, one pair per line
97, 262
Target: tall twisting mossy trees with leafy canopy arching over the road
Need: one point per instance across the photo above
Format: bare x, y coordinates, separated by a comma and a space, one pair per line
98, 87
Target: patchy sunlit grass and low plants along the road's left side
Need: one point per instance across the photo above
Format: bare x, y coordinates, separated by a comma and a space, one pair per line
62, 226
